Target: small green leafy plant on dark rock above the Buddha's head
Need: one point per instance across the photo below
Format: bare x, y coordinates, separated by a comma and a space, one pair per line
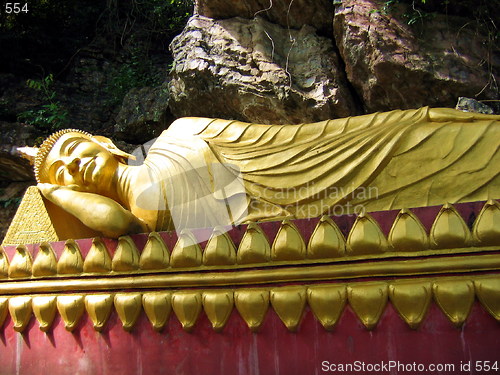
52, 115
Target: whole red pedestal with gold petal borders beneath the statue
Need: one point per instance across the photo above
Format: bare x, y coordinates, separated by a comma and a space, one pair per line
391, 292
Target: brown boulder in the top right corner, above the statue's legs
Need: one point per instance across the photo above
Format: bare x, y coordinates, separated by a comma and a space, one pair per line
393, 65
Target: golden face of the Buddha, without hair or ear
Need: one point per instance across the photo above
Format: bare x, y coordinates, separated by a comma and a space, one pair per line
77, 160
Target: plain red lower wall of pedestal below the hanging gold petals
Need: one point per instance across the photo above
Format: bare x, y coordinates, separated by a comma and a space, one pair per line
273, 350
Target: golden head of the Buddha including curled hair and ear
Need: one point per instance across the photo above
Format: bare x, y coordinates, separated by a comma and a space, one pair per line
73, 157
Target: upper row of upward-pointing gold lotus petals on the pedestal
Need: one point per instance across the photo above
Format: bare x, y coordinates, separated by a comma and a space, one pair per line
407, 239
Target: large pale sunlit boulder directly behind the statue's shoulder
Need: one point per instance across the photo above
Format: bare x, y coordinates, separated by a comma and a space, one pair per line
253, 70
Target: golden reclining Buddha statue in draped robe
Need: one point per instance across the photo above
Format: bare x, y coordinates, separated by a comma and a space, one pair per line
204, 172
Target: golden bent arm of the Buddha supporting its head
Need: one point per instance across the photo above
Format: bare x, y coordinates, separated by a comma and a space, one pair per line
95, 211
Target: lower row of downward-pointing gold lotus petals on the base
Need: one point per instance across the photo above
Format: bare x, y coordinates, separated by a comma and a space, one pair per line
411, 299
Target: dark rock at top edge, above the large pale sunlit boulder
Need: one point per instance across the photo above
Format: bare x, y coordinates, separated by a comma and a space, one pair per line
287, 13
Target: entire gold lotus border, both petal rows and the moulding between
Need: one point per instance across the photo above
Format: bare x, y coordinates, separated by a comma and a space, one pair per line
333, 271
